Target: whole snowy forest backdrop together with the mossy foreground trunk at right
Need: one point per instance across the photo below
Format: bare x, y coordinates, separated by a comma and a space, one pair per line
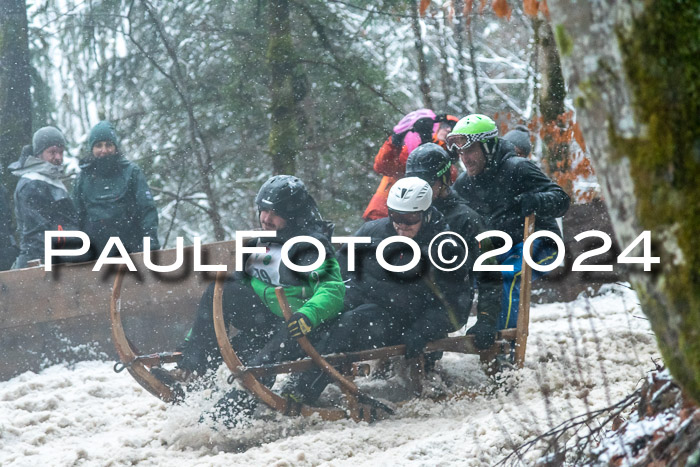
212, 97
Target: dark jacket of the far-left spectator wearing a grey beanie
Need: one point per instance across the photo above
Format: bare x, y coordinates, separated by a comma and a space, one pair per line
41, 203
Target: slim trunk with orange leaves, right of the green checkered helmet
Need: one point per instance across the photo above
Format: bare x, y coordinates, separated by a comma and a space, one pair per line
552, 94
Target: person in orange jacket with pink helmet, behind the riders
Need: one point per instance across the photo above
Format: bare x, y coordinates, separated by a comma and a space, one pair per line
416, 128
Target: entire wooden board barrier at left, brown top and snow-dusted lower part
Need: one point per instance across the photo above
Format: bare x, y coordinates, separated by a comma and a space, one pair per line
43, 315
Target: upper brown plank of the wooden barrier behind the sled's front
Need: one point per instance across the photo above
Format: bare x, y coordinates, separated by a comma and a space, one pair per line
33, 295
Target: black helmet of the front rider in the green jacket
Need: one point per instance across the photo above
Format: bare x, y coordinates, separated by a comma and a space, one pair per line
288, 197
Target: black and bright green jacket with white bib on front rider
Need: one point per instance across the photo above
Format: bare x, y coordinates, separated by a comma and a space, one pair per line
317, 294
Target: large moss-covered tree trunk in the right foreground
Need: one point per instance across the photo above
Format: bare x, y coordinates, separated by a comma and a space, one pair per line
633, 70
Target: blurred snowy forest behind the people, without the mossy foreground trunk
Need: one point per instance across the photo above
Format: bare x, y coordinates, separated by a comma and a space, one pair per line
212, 97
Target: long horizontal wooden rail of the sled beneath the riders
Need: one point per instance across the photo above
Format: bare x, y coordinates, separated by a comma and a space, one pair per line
460, 344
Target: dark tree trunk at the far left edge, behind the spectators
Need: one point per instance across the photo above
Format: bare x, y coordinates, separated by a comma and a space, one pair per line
15, 81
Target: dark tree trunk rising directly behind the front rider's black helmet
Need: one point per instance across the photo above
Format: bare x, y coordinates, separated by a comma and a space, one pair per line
280, 55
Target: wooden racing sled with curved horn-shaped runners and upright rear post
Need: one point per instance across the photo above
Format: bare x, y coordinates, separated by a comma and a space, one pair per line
511, 342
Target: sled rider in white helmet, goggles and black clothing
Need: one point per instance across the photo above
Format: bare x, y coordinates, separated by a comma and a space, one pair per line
387, 308
